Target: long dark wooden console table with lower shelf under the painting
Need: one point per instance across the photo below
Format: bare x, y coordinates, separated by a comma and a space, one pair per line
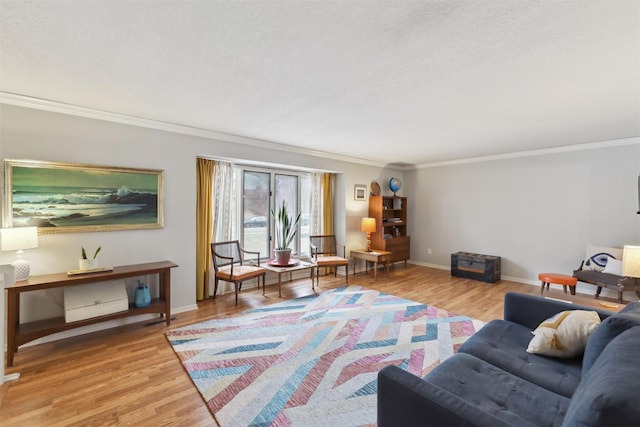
21, 333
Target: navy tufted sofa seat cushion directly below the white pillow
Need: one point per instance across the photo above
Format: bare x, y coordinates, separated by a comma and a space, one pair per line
503, 344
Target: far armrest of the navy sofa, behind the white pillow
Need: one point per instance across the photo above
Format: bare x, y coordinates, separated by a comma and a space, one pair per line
530, 310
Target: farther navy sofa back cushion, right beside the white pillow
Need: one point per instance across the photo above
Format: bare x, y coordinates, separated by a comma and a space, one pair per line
610, 328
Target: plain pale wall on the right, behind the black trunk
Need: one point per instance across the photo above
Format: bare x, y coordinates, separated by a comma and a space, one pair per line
537, 212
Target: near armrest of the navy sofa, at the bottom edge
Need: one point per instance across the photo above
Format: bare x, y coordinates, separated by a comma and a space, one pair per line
407, 400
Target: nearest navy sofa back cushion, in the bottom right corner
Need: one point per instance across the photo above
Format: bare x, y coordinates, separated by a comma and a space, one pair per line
608, 393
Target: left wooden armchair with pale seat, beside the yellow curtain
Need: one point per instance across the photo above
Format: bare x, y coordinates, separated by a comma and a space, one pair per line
230, 265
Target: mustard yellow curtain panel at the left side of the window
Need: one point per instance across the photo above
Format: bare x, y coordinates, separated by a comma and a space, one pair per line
204, 225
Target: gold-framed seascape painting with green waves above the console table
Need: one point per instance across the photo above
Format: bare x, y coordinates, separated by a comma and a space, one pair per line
71, 197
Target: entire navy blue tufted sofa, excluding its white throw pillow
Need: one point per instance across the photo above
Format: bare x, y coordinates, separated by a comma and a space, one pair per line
492, 381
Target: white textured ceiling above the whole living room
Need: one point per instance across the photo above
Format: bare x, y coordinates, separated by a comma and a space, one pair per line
409, 82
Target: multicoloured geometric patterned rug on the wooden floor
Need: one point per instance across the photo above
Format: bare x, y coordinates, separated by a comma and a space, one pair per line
313, 361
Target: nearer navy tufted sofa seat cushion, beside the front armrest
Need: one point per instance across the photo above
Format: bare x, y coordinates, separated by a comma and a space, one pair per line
508, 397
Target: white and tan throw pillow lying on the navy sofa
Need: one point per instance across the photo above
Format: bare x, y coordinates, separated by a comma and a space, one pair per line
565, 334
